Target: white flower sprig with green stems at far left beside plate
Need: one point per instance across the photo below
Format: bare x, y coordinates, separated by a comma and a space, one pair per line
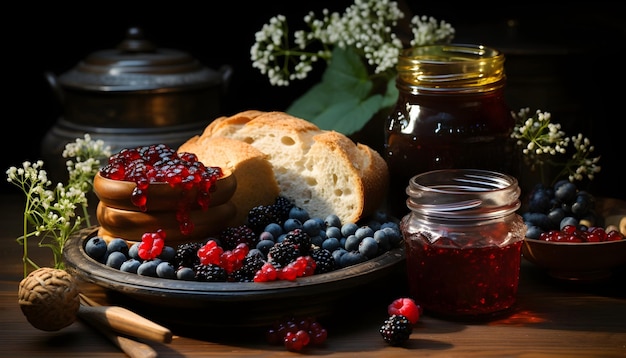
51, 213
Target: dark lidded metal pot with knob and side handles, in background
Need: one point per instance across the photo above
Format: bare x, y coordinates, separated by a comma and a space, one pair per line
139, 85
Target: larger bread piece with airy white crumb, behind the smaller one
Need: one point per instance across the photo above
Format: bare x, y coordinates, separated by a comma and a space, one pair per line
322, 171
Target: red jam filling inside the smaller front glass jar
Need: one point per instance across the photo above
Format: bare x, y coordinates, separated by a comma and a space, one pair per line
452, 280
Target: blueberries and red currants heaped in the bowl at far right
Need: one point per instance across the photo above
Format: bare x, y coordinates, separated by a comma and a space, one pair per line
564, 213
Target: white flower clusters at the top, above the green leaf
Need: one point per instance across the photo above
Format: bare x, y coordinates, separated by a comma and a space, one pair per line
366, 26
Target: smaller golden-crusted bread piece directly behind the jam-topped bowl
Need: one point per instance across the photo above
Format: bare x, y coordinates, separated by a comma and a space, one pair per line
256, 184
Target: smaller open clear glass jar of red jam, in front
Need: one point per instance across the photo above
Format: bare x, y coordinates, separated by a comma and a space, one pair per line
463, 242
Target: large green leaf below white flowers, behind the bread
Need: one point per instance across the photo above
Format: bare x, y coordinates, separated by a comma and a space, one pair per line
343, 100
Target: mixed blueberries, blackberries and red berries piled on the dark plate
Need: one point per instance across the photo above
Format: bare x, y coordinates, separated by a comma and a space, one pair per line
278, 242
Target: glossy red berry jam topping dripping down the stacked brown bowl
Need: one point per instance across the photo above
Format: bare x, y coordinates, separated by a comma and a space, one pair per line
162, 164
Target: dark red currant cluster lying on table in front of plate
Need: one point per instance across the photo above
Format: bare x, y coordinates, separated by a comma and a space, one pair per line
296, 334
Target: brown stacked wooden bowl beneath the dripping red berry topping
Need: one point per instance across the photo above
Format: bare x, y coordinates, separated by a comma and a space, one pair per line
119, 217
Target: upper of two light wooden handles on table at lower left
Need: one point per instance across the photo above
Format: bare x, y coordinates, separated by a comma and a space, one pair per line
125, 321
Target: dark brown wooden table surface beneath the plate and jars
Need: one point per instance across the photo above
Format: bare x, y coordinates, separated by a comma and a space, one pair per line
551, 318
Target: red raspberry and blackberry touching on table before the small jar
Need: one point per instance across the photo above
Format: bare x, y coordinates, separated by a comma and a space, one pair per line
403, 314
